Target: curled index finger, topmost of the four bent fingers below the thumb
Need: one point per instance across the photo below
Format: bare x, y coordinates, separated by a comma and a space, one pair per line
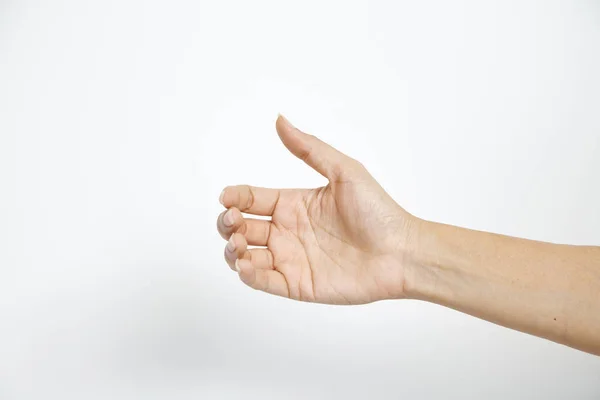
250, 199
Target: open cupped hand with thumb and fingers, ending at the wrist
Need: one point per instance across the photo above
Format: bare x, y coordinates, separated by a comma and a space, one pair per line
344, 243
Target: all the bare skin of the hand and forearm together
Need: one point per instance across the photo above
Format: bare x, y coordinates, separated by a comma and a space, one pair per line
349, 242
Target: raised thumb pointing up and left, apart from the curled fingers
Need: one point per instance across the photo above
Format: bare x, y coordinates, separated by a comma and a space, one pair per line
320, 156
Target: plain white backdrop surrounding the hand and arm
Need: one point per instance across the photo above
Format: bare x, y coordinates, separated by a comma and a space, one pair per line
121, 121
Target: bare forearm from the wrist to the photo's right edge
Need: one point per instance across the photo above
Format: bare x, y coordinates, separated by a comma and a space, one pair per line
544, 289
